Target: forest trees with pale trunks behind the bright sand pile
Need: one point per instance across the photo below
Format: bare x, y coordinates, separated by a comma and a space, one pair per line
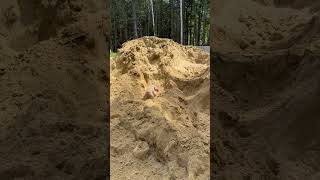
131, 19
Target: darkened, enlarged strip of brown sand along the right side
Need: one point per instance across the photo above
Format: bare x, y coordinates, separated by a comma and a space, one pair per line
265, 90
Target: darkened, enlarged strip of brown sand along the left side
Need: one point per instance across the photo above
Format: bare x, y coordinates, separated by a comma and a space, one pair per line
53, 91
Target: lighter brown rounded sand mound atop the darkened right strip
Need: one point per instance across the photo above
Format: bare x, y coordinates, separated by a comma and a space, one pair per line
251, 27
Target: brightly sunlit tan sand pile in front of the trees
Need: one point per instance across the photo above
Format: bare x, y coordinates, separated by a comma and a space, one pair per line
166, 137
